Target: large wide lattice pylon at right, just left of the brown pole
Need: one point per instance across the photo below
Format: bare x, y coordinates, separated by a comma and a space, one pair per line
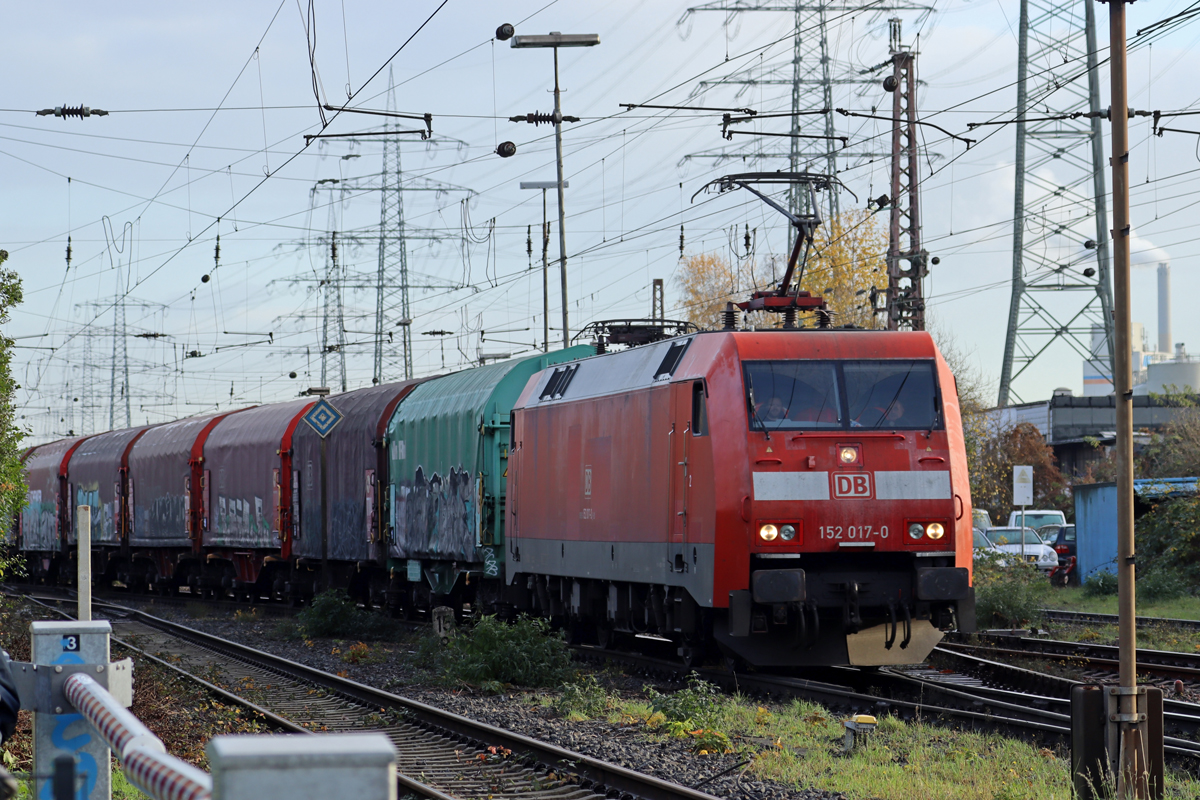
1061, 282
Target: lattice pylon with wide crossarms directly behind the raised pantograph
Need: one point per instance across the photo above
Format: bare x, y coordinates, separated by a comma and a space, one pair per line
813, 74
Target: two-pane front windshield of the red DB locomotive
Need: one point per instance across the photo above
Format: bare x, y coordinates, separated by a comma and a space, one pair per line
835, 395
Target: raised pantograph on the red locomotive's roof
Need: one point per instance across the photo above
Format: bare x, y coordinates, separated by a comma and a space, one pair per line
785, 299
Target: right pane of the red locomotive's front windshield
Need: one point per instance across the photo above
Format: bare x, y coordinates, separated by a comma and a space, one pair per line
892, 395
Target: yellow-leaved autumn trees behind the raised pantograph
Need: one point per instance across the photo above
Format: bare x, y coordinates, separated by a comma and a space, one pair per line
848, 260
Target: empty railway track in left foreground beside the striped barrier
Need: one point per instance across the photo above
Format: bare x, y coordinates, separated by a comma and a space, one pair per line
441, 755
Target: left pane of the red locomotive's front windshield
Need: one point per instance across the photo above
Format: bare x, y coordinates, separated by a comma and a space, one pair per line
791, 395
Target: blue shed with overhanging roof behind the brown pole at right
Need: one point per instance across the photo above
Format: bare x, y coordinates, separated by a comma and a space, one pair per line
1096, 518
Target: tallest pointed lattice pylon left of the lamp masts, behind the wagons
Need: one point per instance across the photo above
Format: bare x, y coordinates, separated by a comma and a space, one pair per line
393, 248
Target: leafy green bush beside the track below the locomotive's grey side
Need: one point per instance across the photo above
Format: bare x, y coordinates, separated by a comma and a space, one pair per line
491, 654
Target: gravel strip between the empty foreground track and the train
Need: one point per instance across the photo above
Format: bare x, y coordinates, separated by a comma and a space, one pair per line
523, 712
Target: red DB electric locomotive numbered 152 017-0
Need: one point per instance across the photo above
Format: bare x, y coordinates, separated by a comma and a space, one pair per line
794, 497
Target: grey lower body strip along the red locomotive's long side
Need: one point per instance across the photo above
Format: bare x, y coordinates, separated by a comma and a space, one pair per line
653, 563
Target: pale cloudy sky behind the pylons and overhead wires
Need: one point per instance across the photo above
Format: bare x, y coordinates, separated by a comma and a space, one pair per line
211, 104
